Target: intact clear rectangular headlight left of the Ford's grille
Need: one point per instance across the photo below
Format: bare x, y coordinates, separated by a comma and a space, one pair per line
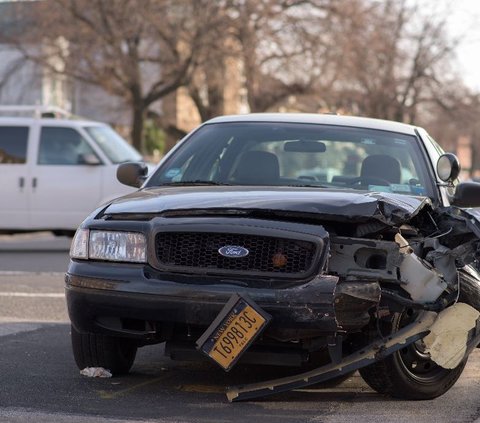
111, 246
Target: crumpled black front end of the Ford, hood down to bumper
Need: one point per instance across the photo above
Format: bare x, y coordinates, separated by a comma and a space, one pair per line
331, 273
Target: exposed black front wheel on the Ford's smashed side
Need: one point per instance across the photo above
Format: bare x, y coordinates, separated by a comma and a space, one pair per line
409, 373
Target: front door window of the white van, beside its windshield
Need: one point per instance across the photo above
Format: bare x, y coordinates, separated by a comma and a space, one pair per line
62, 146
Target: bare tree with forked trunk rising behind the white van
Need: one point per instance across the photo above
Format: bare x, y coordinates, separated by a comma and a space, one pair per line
138, 51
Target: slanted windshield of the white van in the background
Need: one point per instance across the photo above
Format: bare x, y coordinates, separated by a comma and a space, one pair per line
113, 145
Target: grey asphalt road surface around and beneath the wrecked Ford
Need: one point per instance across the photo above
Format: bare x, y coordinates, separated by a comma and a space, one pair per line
39, 381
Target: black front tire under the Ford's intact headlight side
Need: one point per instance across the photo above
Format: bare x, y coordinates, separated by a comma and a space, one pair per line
95, 350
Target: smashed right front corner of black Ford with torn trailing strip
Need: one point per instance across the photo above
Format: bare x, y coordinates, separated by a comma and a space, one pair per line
420, 269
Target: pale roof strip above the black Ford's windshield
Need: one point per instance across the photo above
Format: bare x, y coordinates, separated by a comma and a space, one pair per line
325, 119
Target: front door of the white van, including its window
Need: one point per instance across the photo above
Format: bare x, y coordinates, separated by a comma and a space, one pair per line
66, 179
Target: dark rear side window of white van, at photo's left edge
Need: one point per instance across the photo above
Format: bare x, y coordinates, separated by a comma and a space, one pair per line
13, 144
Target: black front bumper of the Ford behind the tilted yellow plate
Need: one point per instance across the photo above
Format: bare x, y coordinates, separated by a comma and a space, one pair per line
107, 298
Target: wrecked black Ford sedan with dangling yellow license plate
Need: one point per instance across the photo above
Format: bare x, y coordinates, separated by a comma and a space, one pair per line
325, 242
